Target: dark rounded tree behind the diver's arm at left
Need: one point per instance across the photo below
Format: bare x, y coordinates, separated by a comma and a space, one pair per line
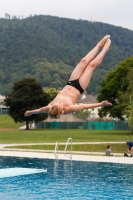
27, 94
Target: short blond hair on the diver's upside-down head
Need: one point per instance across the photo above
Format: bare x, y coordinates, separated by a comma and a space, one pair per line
54, 112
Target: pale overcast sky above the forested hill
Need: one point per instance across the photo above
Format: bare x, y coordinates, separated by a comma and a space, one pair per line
115, 12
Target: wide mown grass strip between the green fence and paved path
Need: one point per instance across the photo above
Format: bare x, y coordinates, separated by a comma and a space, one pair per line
61, 135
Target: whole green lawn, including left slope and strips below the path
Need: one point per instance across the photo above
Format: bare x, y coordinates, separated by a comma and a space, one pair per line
61, 135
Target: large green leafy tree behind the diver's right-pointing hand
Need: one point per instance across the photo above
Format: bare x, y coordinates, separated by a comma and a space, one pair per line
116, 87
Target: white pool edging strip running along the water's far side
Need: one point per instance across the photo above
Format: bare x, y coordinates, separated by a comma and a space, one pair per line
90, 158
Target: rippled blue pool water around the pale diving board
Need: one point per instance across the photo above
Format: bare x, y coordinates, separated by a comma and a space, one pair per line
67, 180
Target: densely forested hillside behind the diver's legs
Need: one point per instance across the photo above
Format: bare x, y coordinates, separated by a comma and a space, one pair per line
48, 48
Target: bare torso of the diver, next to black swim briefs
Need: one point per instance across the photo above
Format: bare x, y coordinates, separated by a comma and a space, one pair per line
68, 96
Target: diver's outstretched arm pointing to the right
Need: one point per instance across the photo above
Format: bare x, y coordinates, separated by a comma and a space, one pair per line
87, 106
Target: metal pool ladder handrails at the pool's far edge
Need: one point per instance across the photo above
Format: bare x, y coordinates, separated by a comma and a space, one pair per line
65, 150
